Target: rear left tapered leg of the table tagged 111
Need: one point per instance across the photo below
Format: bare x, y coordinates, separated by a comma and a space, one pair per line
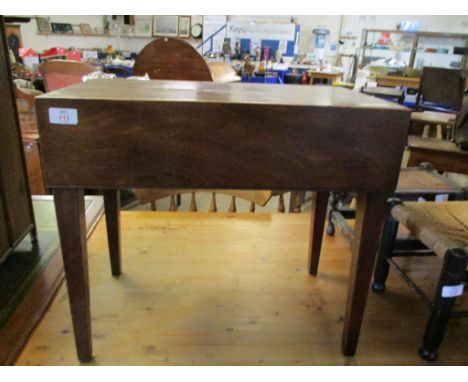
112, 209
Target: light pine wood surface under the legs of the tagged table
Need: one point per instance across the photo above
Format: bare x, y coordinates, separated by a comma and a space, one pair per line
227, 289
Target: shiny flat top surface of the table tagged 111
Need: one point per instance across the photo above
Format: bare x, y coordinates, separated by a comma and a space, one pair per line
209, 92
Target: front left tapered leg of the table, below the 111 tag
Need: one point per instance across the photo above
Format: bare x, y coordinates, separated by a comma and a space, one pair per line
70, 210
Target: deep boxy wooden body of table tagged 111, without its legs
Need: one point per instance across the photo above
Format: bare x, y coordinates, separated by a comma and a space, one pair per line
182, 141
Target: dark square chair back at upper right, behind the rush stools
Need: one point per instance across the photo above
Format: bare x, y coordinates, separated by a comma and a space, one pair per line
441, 86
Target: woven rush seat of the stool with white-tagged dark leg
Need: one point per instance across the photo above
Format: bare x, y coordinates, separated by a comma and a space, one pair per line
439, 226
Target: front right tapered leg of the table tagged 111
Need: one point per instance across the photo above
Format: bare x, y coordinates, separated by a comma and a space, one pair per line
370, 215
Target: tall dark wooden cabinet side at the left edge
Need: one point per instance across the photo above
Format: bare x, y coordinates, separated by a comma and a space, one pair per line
16, 214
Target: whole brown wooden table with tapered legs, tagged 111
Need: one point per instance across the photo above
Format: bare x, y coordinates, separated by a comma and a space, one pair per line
201, 135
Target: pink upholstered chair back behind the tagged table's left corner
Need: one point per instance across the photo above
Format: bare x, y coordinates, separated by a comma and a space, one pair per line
58, 74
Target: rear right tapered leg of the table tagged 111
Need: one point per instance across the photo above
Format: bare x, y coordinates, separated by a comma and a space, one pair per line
317, 224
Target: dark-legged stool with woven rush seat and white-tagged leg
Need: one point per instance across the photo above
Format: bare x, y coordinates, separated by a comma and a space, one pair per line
443, 229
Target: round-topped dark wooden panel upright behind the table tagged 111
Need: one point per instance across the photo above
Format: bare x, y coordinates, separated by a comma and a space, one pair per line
171, 59
